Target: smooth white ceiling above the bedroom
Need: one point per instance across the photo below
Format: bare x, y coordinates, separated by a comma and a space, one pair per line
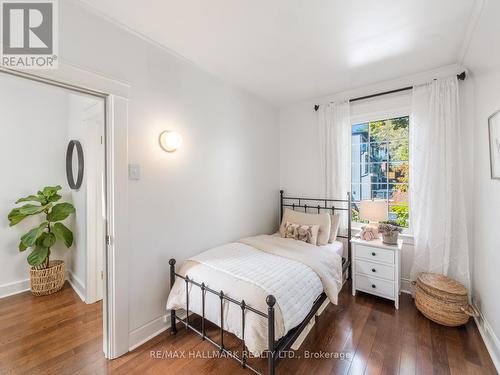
289, 50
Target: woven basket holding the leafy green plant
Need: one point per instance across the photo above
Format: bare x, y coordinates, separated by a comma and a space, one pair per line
47, 280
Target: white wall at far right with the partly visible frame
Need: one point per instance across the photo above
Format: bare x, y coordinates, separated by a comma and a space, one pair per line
483, 58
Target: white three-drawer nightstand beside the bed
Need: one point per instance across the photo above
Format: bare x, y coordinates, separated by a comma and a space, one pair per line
376, 268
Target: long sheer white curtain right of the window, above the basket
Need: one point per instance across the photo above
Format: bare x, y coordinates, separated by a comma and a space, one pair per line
437, 203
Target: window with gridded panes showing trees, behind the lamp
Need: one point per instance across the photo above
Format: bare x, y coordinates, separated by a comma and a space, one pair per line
380, 169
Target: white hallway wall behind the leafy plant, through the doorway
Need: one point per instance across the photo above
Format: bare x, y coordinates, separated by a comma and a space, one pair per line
32, 149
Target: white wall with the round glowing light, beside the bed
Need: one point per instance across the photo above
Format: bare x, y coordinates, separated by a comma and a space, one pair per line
221, 185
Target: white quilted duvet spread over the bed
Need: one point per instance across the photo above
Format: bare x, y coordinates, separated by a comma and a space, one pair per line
295, 272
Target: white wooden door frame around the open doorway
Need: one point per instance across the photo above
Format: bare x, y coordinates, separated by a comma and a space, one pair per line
116, 94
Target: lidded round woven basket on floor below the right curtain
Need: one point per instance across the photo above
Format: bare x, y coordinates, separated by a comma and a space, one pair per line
442, 300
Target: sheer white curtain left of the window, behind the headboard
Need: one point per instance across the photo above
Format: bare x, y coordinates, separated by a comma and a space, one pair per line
335, 150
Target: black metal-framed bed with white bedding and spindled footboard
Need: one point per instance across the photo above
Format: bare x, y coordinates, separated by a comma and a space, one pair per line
264, 289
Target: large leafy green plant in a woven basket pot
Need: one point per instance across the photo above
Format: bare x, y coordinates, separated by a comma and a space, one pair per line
46, 276
